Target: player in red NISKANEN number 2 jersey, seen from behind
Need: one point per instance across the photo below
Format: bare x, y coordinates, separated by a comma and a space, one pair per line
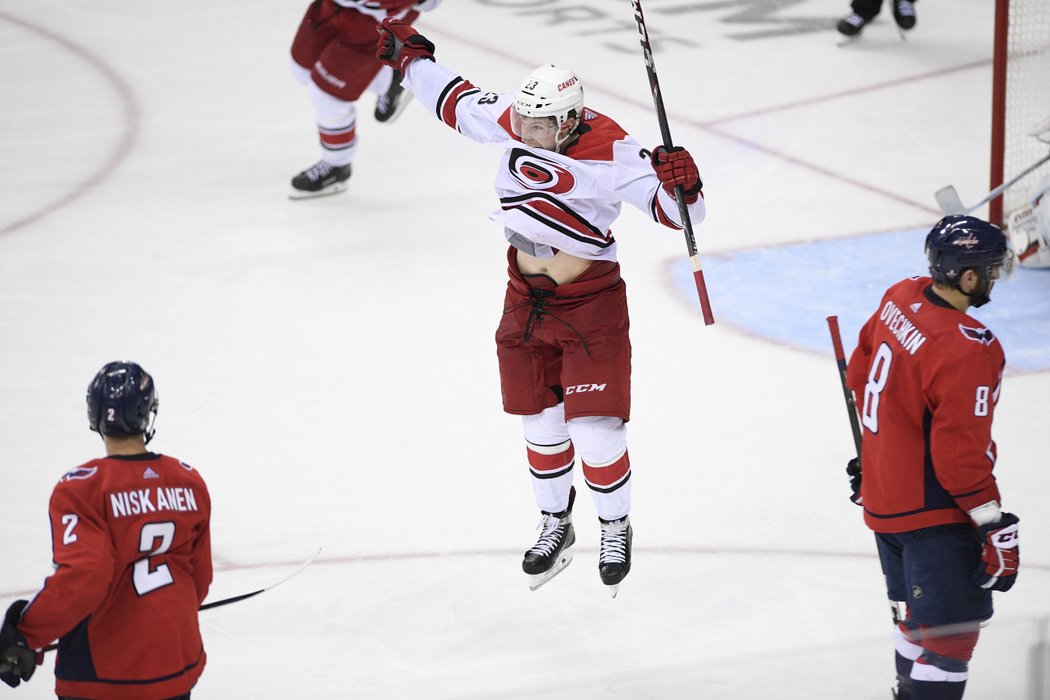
133, 563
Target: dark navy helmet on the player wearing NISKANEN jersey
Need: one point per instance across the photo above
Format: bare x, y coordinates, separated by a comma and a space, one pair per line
122, 401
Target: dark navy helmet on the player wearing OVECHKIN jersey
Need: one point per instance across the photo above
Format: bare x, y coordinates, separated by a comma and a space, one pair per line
957, 244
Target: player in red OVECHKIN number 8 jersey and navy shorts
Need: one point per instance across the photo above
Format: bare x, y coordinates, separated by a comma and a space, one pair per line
928, 377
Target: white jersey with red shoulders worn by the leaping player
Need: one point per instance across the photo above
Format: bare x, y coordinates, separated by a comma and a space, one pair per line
555, 202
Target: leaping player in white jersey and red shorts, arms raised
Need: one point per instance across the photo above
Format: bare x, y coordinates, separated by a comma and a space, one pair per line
563, 345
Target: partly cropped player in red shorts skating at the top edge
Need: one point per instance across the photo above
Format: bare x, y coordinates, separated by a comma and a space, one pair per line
333, 55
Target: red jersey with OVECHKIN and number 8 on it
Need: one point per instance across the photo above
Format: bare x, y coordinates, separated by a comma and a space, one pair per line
927, 378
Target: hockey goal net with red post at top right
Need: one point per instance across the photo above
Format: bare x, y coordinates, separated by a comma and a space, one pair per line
1021, 99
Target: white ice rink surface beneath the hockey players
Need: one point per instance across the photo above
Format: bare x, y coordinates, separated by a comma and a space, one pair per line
329, 366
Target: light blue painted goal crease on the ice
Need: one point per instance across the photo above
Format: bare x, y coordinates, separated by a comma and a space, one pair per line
786, 293
